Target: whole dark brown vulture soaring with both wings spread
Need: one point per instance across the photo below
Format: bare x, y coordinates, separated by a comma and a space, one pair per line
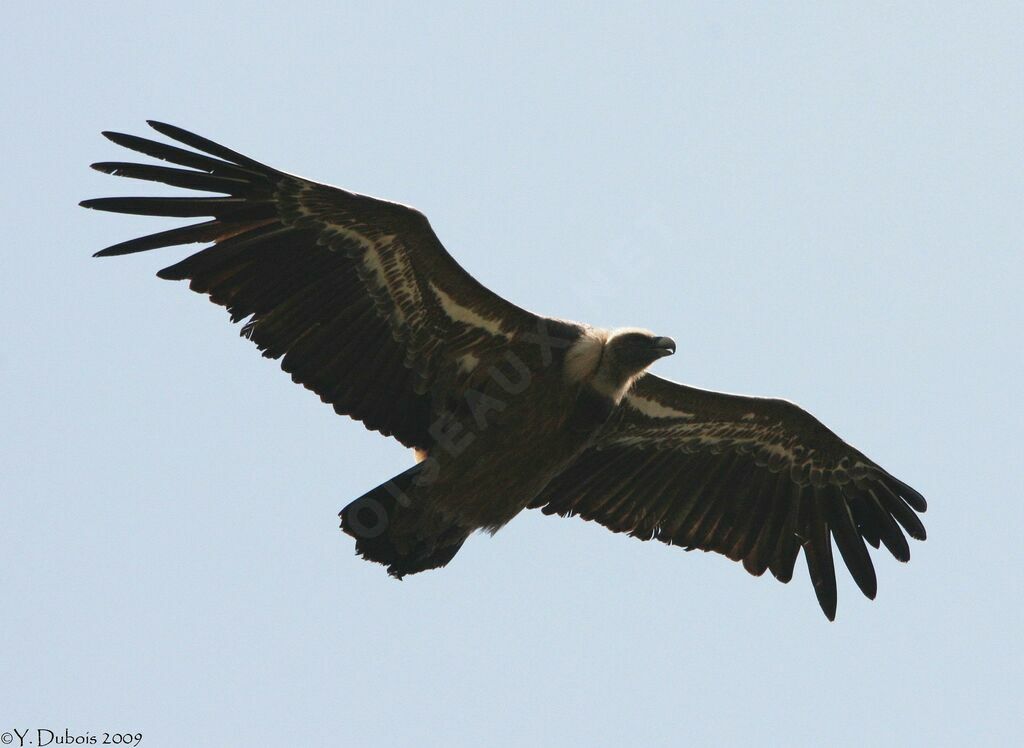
505, 409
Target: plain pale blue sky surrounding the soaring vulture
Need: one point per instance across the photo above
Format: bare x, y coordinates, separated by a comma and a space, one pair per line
823, 204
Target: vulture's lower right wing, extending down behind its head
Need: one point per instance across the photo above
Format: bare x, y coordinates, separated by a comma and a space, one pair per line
751, 478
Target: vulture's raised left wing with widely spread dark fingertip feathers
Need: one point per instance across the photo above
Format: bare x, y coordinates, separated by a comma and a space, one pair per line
358, 295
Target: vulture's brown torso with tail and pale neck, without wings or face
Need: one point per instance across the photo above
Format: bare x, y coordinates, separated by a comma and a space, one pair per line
522, 423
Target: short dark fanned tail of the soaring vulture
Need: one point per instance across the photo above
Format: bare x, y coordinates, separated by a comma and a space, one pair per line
393, 526
